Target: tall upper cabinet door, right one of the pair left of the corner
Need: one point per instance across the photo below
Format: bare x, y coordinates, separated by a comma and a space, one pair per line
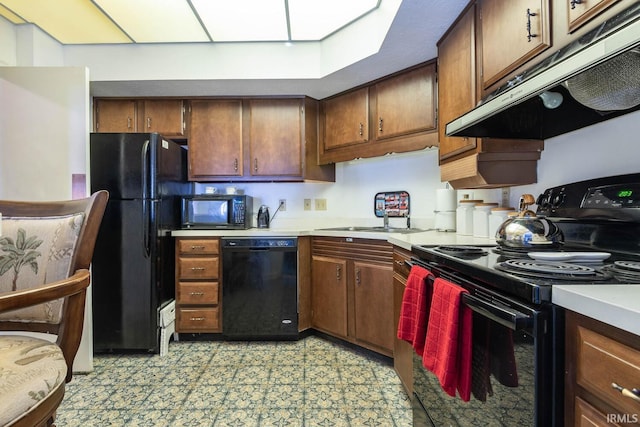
276, 137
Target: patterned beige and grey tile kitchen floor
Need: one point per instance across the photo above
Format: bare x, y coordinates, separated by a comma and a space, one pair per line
310, 382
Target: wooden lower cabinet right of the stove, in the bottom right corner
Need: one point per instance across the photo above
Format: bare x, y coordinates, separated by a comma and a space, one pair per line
598, 355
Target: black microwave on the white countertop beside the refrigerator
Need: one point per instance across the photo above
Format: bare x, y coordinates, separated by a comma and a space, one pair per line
219, 211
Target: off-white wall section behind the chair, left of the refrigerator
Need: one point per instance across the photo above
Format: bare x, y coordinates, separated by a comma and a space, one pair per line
44, 129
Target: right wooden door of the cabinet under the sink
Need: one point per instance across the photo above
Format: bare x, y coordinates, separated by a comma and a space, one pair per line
374, 304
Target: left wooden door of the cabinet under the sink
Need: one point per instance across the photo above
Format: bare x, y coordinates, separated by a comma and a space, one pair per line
329, 295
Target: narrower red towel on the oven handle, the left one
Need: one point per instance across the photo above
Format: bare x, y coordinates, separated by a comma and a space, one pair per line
412, 325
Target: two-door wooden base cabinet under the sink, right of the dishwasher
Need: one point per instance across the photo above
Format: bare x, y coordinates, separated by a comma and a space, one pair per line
352, 291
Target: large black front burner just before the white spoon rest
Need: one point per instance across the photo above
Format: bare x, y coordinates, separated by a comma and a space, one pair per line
552, 270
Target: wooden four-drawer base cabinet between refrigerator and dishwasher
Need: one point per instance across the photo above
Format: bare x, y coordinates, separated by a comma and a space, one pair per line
198, 290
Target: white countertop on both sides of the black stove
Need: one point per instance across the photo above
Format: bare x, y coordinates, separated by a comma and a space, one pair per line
617, 305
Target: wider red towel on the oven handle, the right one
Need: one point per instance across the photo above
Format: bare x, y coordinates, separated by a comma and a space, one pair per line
447, 352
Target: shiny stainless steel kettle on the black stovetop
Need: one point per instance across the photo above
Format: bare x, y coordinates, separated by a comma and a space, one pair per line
526, 230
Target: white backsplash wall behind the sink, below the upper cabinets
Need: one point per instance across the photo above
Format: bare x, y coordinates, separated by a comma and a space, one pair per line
350, 198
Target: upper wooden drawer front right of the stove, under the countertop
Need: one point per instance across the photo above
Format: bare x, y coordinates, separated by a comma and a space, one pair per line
602, 361
